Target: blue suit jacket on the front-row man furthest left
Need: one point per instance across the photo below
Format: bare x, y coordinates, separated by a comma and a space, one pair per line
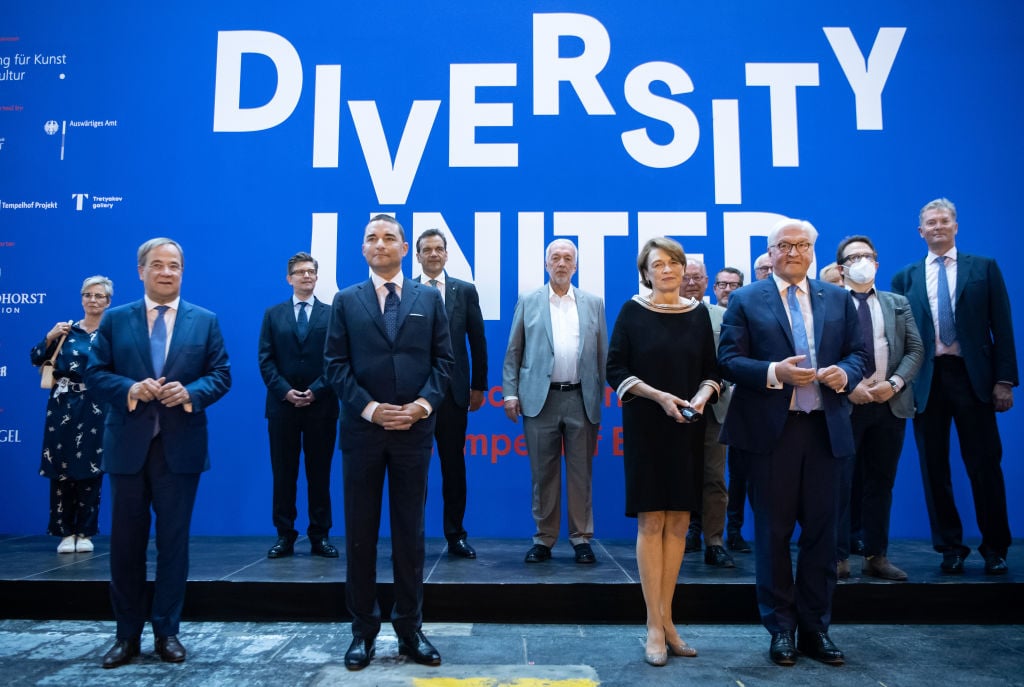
120, 357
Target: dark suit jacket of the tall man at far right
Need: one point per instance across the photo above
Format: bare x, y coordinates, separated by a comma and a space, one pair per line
985, 328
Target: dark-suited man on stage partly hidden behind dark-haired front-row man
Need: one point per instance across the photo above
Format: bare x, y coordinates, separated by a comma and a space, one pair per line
465, 323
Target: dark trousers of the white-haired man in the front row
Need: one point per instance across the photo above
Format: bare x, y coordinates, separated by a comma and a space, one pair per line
798, 482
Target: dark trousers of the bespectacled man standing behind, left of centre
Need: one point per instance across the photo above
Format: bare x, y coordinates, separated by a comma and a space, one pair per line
293, 432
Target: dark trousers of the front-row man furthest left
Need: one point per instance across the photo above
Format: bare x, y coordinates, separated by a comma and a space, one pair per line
172, 497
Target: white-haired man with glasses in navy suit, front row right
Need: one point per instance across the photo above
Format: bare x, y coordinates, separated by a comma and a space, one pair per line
793, 348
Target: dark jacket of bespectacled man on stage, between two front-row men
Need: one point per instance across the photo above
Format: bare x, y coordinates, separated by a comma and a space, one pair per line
289, 363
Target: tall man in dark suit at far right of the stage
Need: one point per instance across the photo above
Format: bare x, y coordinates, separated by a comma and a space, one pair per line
963, 309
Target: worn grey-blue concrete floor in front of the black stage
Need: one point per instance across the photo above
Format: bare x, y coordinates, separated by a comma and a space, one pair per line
68, 653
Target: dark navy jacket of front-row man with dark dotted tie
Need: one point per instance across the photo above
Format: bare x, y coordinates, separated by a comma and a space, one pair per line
364, 366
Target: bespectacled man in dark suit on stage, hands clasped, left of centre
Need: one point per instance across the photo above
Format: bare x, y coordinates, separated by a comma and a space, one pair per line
302, 408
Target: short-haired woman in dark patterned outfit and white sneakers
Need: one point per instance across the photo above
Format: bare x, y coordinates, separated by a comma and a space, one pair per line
73, 437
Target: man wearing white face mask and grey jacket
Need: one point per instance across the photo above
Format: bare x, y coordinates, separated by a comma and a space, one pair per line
882, 405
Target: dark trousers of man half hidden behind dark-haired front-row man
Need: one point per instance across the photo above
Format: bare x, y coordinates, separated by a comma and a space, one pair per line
450, 433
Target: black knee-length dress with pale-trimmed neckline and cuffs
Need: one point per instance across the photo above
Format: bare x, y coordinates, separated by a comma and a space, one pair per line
672, 350
